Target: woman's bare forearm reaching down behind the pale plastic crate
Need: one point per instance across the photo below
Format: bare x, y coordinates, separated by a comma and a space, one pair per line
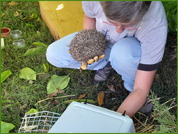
137, 97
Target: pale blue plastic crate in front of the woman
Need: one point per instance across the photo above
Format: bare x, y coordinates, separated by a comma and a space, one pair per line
87, 118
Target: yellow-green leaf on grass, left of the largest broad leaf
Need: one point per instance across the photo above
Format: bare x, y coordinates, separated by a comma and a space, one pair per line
27, 73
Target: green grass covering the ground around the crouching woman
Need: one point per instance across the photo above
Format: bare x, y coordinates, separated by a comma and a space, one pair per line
25, 94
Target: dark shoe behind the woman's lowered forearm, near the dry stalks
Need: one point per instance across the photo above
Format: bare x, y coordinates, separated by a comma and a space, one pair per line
147, 108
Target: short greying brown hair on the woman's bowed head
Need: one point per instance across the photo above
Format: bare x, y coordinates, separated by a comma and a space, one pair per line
125, 11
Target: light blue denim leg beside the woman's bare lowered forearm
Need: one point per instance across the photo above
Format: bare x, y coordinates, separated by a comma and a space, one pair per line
124, 57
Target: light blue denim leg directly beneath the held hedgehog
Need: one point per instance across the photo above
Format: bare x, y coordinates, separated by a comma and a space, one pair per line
58, 56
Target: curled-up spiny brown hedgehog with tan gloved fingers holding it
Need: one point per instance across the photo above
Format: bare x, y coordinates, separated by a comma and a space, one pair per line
87, 47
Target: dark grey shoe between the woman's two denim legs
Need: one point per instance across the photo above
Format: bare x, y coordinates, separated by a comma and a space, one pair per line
103, 74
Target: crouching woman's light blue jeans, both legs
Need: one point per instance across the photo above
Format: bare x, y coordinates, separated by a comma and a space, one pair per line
124, 57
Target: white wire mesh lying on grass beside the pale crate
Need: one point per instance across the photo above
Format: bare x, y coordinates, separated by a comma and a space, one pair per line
39, 122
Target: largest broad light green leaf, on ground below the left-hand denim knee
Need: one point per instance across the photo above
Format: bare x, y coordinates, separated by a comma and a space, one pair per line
57, 82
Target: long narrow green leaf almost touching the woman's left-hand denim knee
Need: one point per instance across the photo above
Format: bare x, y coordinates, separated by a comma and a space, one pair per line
34, 51
